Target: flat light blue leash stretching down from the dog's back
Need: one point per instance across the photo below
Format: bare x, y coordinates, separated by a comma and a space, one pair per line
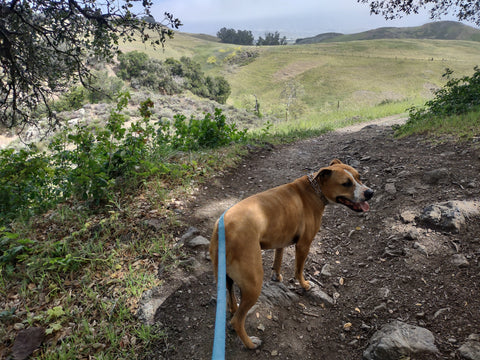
220, 317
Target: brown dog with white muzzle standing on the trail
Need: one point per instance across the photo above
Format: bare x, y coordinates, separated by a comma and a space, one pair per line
286, 215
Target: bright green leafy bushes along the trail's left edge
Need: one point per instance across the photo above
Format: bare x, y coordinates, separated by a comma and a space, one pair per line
90, 164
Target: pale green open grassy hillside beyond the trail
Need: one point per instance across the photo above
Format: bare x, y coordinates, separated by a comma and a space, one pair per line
329, 84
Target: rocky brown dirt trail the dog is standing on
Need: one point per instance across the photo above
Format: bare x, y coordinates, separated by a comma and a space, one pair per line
381, 265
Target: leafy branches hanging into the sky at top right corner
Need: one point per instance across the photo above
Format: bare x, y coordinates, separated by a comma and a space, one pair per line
466, 10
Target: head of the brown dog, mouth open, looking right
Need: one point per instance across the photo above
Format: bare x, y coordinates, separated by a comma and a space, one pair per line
341, 184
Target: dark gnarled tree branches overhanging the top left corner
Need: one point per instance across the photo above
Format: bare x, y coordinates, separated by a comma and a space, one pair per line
46, 44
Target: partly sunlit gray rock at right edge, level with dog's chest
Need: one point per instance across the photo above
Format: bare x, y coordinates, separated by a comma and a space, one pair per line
448, 216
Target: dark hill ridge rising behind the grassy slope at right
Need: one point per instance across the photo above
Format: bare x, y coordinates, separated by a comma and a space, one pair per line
441, 30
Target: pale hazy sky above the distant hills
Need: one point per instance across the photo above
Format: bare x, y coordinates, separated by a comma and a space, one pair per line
292, 18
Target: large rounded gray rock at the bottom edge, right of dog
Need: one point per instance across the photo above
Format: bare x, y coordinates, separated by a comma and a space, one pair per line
399, 340
